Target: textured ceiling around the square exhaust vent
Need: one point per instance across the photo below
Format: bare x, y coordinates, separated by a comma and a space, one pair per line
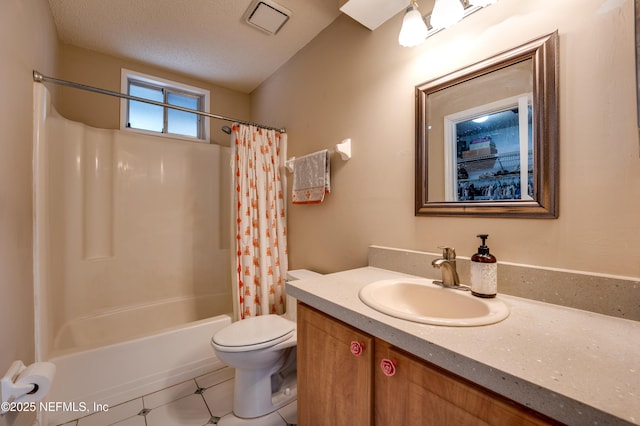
206, 39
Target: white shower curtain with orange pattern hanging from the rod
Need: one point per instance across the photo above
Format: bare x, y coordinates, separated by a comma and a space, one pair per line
260, 220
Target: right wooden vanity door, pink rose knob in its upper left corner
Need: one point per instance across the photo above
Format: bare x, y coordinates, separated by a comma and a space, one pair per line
419, 393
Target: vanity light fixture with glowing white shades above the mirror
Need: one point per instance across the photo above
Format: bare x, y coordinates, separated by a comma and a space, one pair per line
445, 13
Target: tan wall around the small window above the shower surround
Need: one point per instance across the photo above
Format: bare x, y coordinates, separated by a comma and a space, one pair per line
103, 71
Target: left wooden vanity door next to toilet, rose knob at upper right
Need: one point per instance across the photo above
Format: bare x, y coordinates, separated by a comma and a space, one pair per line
335, 386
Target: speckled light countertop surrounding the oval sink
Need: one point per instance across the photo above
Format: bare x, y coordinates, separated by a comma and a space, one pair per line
575, 366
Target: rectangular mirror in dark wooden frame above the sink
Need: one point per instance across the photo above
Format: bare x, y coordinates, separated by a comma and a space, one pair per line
487, 137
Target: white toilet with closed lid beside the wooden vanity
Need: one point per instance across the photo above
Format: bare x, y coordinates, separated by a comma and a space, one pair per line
263, 352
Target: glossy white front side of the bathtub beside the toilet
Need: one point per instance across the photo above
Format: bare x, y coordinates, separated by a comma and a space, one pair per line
119, 372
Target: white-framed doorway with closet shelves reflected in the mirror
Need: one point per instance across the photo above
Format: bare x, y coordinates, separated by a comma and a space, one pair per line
490, 152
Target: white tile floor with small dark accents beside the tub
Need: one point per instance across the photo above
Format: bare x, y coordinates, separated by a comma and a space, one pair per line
198, 402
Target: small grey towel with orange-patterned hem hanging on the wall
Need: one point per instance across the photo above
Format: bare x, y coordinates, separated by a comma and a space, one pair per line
311, 178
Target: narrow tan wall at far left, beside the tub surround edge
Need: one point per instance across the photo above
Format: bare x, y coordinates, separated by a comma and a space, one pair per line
28, 41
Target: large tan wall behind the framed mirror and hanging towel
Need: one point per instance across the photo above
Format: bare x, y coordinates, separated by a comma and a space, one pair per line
351, 82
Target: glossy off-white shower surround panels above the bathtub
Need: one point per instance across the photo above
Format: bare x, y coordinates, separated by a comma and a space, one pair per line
130, 233
